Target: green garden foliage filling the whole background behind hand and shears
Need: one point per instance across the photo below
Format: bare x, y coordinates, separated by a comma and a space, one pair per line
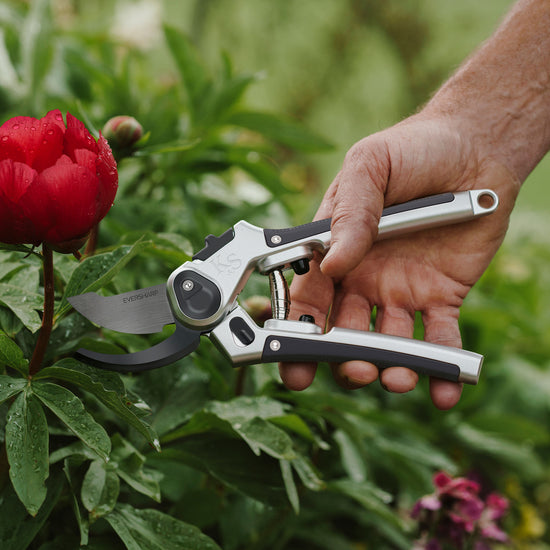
246, 464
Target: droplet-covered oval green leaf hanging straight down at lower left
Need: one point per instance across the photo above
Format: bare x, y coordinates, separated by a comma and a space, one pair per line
27, 450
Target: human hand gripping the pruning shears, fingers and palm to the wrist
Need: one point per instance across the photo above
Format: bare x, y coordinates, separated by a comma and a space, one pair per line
428, 272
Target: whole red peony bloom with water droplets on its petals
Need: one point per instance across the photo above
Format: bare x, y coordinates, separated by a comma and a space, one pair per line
56, 181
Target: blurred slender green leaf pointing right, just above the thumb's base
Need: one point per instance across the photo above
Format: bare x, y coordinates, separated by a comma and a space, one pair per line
280, 130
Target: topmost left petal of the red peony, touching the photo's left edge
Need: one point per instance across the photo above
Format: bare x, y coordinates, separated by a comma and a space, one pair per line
37, 142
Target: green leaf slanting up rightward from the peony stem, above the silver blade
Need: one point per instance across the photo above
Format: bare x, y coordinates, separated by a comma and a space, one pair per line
96, 271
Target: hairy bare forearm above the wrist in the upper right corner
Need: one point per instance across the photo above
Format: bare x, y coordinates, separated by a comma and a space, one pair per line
501, 95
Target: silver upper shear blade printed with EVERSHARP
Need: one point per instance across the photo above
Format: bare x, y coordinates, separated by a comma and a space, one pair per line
143, 311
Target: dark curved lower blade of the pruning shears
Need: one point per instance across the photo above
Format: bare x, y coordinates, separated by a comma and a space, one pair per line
180, 344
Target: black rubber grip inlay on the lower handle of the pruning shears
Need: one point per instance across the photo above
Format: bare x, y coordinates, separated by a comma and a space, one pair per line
298, 349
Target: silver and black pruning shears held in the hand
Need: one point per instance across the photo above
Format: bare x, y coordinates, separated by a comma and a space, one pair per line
201, 299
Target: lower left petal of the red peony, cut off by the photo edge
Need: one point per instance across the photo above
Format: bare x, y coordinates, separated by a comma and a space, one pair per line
15, 227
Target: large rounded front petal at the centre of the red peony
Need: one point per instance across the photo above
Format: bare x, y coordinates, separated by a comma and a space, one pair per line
64, 201
